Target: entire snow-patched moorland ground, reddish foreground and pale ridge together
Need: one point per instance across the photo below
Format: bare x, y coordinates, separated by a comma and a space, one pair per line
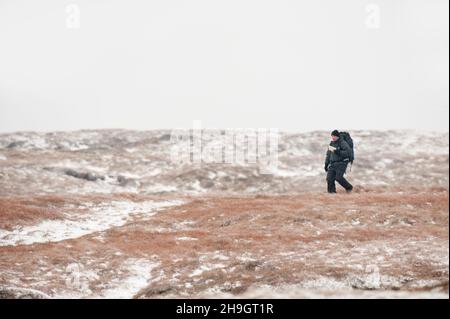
107, 214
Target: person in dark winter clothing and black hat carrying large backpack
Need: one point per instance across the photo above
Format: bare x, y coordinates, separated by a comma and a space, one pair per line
339, 155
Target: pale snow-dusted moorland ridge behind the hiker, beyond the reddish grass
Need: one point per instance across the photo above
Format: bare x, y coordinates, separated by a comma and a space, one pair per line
115, 161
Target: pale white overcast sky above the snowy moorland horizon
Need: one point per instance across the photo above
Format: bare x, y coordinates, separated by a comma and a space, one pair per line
289, 64
